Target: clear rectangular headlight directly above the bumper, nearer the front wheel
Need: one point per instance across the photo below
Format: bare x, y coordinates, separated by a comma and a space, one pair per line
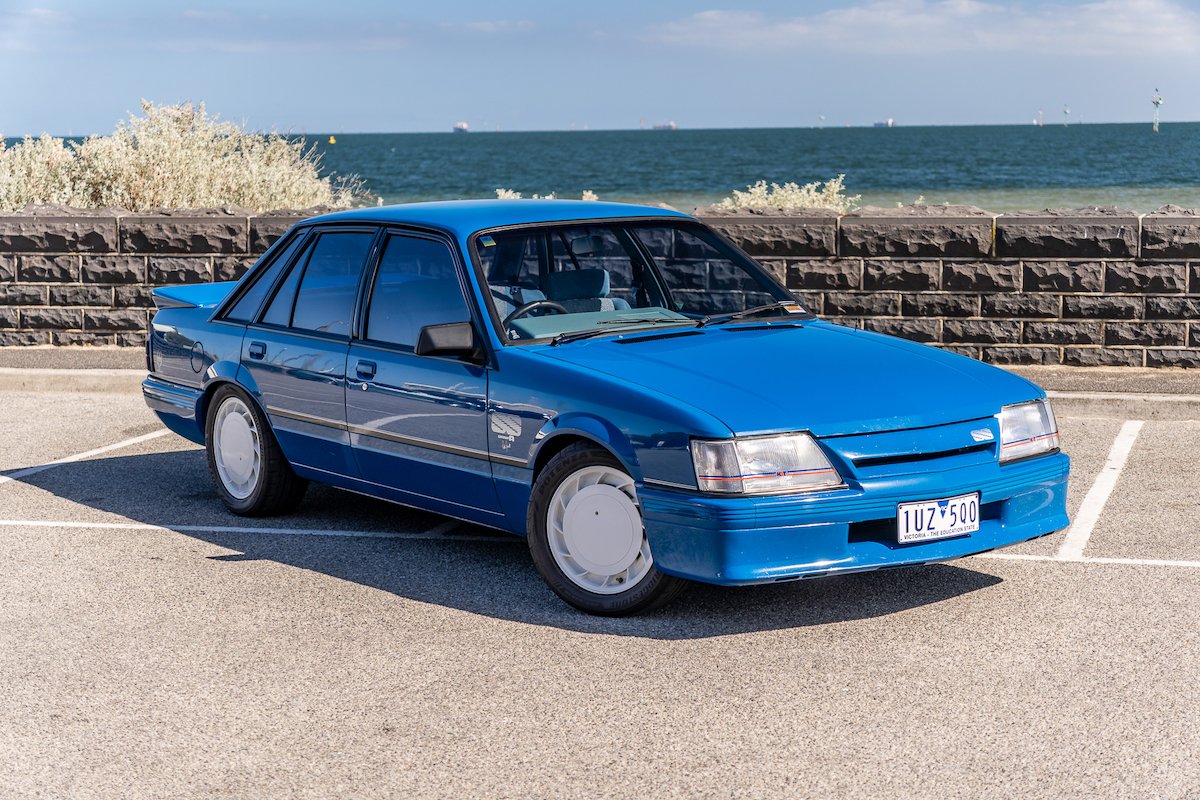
788, 464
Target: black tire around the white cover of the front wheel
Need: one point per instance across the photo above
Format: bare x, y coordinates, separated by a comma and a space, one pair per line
653, 591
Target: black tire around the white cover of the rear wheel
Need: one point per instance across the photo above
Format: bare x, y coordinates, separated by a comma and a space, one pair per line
278, 489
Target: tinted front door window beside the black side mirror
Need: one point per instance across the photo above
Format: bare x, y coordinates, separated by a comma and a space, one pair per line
417, 285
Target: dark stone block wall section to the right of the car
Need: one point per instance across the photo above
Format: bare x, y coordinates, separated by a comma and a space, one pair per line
1097, 287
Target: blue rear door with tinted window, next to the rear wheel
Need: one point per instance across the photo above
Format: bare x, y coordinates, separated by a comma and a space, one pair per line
297, 351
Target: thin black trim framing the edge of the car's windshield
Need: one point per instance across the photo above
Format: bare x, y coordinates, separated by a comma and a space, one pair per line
489, 309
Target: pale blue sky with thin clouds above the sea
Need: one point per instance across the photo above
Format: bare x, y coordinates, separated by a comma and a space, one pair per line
71, 67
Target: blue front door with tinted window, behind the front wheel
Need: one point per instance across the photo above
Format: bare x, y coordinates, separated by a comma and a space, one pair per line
418, 424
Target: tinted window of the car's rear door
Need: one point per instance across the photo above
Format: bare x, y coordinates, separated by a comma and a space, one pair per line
319, 293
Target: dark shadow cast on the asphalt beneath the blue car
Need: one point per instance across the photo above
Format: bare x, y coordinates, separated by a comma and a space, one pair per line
471, 569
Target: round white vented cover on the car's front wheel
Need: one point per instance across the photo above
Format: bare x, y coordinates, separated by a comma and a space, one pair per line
596, 532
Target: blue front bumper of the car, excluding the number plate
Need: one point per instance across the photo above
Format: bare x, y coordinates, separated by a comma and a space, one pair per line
745, 540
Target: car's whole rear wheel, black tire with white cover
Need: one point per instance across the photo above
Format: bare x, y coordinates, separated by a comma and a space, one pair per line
248, 467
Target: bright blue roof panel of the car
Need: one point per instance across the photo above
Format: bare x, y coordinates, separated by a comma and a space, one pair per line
465, 218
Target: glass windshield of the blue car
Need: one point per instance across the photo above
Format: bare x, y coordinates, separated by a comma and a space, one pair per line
595, 279
